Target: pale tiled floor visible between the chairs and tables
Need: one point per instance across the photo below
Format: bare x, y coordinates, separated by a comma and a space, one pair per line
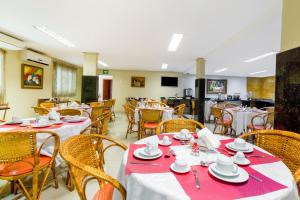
113, 159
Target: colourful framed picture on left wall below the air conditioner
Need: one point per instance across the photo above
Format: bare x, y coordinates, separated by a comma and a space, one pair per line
32, 77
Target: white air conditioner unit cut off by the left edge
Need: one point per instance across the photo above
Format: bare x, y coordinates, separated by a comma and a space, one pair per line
10, 43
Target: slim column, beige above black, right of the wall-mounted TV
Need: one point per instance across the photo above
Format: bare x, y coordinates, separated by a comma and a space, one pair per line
200, 89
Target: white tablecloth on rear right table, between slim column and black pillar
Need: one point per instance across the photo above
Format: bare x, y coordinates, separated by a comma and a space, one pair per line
241, 119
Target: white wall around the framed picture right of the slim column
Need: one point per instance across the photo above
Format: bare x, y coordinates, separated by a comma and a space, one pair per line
234, 85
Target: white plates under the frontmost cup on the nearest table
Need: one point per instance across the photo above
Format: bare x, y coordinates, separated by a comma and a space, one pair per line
239, 177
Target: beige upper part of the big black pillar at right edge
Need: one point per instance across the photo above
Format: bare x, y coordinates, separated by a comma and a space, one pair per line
290, 25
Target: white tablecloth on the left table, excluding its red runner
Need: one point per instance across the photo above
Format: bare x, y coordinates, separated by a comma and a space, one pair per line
63, 132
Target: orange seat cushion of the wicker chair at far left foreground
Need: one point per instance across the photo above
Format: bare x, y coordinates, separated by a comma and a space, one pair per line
22, 167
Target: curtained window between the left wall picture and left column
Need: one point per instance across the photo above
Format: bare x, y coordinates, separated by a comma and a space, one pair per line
64, 80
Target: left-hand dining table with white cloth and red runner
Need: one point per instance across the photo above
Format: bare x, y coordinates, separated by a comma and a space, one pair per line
64, 130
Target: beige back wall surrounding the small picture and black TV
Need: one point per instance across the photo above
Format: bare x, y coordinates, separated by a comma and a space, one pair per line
122, 86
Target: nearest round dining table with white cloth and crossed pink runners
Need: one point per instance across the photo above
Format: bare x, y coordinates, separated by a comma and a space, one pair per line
269, 178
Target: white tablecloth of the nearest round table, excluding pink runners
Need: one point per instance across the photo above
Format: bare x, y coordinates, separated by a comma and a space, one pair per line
162, 186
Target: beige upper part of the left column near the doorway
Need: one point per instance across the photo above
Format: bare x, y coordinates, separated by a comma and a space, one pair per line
90, 61
